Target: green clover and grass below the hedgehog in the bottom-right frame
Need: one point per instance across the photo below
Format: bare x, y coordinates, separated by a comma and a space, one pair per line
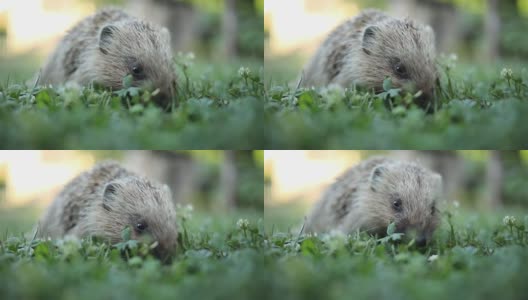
473, 256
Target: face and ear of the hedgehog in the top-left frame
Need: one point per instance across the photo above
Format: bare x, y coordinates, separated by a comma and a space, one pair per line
142, 51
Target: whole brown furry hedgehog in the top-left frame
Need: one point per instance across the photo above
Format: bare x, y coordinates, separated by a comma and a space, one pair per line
105, 47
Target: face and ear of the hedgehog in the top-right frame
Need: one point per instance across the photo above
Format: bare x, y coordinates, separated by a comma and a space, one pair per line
403, 51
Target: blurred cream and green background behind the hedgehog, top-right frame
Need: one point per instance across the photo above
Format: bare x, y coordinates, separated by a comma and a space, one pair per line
491, 32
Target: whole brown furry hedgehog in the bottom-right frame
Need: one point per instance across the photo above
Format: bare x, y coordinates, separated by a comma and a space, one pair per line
362, 199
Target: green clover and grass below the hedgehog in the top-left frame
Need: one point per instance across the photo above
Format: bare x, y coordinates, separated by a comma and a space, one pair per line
216, 107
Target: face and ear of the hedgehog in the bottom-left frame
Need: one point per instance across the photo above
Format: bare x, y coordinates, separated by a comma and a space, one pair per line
144, 207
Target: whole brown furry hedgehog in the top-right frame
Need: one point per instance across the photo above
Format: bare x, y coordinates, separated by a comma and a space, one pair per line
365, 49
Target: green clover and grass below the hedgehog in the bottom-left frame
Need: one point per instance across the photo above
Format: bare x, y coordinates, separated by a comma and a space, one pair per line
216, 259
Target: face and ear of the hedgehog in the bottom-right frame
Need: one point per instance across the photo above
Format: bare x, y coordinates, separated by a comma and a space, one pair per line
407, 195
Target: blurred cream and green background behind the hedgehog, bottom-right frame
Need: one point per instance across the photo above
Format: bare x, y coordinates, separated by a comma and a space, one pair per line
478, 181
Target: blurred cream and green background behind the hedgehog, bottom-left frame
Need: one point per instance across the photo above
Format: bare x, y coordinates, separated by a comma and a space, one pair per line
218, 184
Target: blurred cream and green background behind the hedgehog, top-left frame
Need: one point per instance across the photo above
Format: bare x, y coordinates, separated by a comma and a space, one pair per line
214, 30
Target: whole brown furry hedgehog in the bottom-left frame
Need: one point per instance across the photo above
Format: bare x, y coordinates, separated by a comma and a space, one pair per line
104, 200
